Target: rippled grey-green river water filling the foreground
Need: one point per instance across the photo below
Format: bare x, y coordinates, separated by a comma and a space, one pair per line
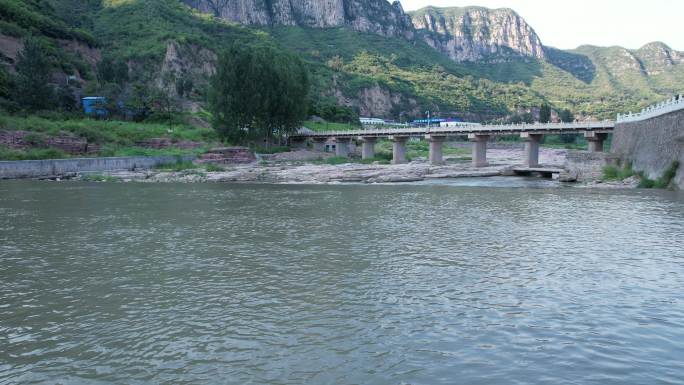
405, 284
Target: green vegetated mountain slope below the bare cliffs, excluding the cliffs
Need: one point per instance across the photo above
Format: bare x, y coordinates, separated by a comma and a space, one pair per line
377, 75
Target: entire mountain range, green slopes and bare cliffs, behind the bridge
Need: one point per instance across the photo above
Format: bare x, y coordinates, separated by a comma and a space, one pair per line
369, 55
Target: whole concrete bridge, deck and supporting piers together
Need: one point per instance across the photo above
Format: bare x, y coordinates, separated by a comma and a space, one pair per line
594, 132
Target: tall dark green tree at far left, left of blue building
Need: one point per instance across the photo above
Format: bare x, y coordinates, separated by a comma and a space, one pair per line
32, 88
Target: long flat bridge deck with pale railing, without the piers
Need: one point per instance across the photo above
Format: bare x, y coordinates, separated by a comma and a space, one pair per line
513, 129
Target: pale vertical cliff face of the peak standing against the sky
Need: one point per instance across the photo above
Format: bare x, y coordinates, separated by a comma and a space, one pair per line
476, 33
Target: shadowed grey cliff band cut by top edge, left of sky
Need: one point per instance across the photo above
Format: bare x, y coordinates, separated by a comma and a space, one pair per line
373, 16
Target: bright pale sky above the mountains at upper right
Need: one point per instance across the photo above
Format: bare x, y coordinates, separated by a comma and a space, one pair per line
568, 24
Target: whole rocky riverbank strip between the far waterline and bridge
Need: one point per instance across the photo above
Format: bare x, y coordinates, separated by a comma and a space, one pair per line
310, 167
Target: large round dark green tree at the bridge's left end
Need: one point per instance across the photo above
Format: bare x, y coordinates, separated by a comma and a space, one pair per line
258, 92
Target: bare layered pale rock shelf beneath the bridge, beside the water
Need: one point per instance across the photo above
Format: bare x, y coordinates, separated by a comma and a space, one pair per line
308, 167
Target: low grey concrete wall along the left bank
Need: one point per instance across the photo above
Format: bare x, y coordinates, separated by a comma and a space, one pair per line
57, 167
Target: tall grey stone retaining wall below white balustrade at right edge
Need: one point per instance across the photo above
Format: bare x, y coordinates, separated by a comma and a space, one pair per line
652, 145
